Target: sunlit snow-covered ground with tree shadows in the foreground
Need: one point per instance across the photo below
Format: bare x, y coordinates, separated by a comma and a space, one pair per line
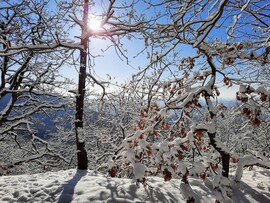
88, 186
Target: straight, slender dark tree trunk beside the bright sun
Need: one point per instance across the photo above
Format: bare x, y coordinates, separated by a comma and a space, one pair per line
80, 137
